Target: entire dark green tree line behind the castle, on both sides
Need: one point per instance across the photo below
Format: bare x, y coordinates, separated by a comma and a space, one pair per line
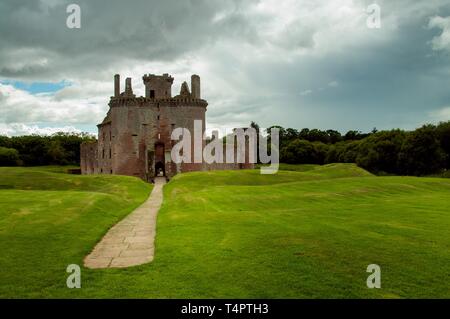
423, 151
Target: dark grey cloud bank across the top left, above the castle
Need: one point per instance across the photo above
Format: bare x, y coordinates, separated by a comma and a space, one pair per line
112, 32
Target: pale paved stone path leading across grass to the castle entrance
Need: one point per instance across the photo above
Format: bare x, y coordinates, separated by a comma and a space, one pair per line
131, 241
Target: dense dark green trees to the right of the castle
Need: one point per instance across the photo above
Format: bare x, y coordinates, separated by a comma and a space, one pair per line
423, 151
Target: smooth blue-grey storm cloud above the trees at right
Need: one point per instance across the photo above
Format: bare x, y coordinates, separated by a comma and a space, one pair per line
395, 85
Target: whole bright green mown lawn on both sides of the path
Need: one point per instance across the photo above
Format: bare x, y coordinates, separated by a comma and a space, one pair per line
306, 232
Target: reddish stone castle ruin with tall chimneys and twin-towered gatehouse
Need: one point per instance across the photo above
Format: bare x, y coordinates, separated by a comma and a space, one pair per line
135, 136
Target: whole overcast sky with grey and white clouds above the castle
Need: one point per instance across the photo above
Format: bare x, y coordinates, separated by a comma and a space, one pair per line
297, 63
